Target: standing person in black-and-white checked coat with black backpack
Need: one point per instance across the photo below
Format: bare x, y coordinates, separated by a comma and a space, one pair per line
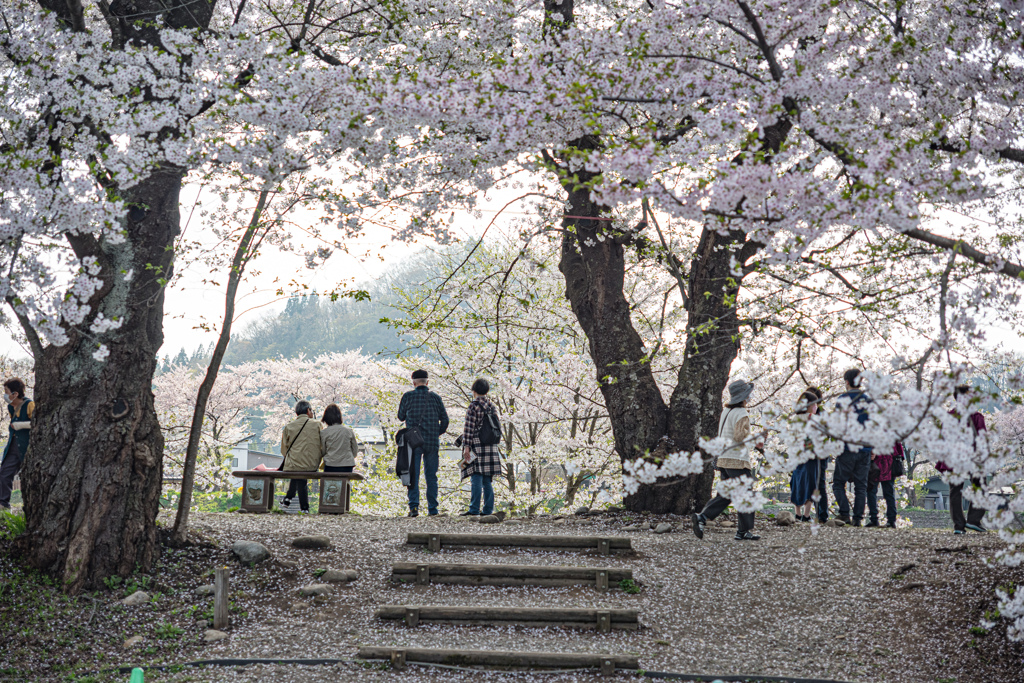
482, 459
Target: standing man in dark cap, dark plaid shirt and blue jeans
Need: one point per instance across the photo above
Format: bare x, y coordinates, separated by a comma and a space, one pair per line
423, 409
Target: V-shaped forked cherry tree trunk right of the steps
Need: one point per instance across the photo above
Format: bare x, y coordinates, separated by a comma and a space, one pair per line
593, 263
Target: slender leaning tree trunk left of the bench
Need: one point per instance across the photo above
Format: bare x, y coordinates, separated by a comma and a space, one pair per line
242, 255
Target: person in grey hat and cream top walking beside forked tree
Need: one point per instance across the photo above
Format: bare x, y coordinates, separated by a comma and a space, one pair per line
735, 424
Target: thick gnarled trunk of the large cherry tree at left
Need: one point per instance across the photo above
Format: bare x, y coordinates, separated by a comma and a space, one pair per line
92, 480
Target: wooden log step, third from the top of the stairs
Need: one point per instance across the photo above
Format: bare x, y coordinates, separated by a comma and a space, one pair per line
570, 618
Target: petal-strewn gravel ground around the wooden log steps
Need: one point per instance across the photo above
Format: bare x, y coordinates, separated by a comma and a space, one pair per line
795, 604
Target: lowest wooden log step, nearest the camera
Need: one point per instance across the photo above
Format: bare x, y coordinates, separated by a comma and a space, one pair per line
402, 656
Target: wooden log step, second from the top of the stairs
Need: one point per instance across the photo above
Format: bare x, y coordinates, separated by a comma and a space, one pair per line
507, 575
